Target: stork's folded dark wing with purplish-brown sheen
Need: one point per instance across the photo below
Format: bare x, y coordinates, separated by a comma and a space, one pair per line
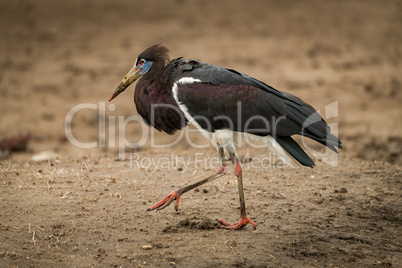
227, 99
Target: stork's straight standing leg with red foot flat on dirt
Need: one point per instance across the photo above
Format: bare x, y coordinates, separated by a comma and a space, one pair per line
244, 220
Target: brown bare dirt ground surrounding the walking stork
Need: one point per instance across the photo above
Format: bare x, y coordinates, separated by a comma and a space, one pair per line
83, 208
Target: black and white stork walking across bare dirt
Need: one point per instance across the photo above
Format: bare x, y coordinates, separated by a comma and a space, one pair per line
171, 94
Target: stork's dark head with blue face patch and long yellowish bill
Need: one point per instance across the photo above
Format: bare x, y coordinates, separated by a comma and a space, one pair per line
150, 61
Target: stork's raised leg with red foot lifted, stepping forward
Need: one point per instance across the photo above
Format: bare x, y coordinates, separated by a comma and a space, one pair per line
175, 195
